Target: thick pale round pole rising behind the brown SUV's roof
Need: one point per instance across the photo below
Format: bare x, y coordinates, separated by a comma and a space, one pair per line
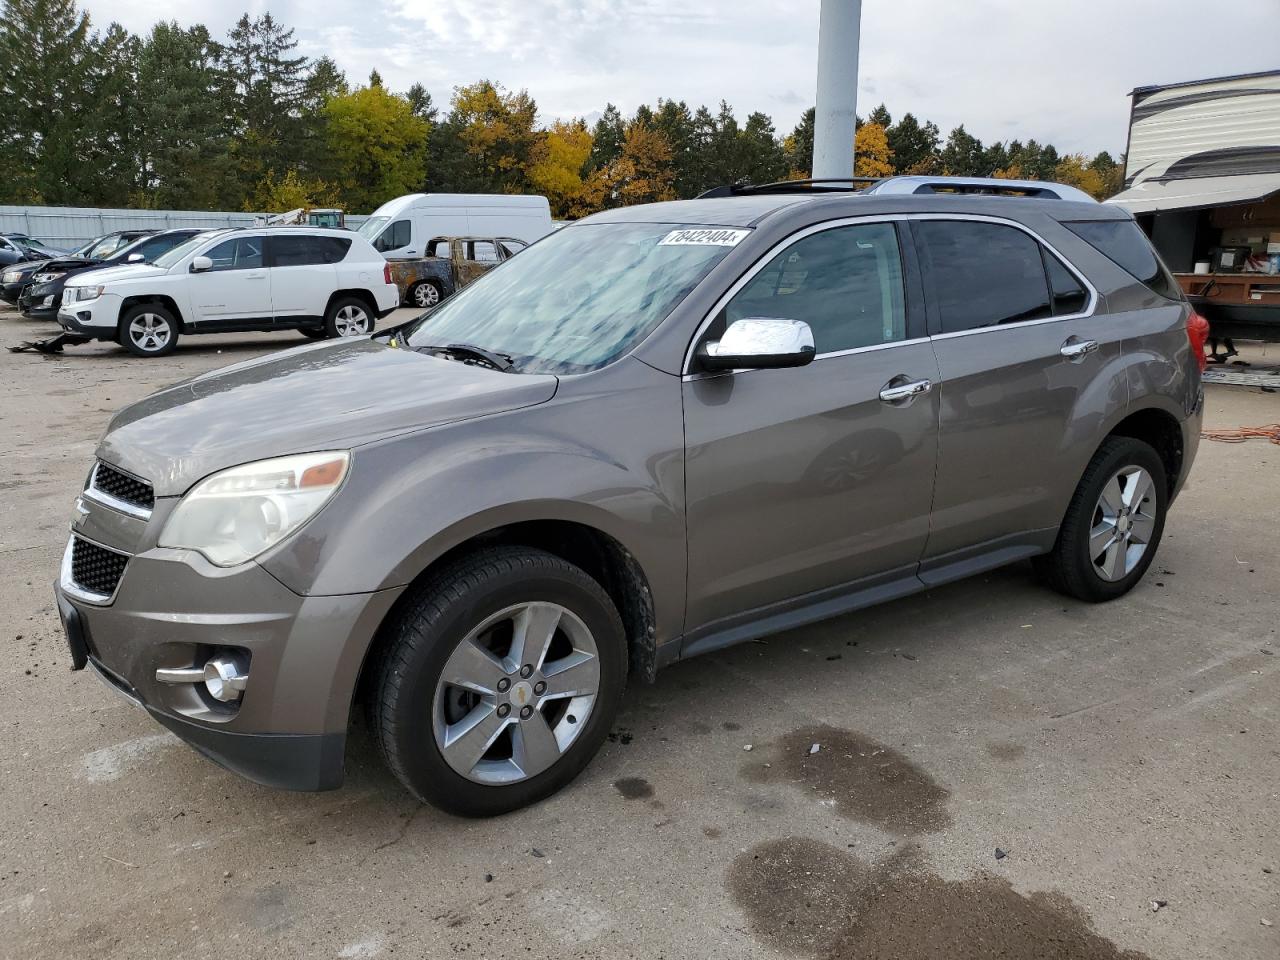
838, 89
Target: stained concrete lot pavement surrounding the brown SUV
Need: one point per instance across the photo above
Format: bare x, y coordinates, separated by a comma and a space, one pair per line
1117, 756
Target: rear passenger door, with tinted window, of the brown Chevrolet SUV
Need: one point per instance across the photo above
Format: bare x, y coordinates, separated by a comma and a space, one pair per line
1025, 355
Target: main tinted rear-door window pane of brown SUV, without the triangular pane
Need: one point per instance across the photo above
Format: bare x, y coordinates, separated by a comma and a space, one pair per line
984, 275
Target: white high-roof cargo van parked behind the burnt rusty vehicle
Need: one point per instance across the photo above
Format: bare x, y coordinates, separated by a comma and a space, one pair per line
401, 228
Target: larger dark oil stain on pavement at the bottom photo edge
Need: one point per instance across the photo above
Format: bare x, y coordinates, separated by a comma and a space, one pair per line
808, 898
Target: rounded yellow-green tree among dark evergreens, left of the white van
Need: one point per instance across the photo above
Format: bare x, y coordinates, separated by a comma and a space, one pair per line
378, 147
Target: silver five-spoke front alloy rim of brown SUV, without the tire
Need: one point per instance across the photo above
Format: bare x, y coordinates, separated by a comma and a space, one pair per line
516, 693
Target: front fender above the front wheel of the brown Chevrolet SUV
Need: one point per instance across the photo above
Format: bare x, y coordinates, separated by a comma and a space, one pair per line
412, 499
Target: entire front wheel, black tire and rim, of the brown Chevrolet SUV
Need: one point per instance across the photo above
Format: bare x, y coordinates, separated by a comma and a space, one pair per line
482, 755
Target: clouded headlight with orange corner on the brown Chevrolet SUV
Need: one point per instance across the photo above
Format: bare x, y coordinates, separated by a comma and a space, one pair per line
234, 516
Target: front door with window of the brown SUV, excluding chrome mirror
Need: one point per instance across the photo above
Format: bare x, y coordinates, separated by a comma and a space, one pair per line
806, 481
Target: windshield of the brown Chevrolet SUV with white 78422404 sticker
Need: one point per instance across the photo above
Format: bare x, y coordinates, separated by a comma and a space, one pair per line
582, 298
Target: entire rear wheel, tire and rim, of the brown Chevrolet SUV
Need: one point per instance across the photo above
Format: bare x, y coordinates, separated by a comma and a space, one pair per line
1089, 561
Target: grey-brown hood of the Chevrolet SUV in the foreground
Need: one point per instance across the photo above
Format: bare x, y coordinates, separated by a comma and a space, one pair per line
330, 396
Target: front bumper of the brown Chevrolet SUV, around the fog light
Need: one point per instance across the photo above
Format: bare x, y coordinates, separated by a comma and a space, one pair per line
172, 610
